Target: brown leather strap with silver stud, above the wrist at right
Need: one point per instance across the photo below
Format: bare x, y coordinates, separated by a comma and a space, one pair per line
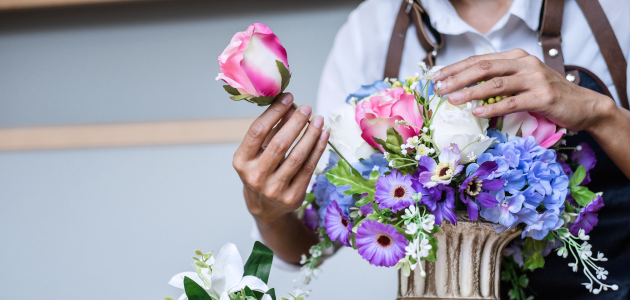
549, 36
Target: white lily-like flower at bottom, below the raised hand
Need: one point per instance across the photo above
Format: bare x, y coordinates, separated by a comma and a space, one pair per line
226, 276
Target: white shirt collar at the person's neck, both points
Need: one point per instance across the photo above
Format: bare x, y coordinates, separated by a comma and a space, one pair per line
444, 17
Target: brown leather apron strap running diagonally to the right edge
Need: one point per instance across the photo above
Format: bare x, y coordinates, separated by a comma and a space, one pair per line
608, 46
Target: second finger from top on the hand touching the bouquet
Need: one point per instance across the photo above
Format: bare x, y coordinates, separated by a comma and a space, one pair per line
482, 70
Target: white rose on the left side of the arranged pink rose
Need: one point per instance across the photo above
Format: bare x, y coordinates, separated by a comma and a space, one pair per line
345, 134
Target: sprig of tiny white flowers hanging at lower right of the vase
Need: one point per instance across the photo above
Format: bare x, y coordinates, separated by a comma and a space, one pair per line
583, 255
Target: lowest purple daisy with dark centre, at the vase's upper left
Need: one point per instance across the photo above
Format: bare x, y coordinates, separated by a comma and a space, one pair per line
382, 245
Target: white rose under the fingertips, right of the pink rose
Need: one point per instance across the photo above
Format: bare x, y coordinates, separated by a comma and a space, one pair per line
457, 125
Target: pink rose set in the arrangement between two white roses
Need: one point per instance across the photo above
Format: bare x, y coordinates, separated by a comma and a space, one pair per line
380, 112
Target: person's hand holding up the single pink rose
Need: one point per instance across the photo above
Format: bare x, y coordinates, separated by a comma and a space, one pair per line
275, 186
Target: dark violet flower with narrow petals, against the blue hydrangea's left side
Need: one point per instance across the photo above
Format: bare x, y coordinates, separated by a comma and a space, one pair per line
472, 187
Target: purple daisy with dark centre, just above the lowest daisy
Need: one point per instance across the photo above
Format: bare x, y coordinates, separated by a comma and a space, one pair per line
394, 191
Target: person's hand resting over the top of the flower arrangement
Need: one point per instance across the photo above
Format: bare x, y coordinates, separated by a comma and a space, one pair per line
535, 86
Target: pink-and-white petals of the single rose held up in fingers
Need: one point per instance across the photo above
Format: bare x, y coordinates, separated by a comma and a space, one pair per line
248, 63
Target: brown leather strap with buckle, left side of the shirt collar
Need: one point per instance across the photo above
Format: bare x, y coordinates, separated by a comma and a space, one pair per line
411, 11
